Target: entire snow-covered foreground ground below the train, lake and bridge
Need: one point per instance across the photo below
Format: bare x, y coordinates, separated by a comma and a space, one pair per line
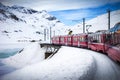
68, 63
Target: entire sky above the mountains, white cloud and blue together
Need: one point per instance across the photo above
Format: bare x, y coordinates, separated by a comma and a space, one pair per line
70, 12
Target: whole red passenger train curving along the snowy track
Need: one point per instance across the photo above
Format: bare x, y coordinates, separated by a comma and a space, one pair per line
108, 43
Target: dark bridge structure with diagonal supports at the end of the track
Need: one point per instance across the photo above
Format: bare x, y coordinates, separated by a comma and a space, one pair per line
51, 49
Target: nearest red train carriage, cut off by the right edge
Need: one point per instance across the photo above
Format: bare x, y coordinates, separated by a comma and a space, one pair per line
112, 46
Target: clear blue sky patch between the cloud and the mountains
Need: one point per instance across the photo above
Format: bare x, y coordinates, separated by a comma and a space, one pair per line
75, 16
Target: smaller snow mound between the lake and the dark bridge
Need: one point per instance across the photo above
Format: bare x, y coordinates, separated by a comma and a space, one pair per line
28, 55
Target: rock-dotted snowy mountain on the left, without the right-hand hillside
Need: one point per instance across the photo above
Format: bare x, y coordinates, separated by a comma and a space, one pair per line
24, 24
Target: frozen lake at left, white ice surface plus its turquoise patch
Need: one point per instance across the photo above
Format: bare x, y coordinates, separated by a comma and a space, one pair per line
9, 49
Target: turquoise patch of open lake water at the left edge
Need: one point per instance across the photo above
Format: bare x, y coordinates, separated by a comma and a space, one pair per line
5, 53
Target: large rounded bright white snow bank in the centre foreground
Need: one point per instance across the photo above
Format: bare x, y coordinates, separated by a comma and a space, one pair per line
67, 64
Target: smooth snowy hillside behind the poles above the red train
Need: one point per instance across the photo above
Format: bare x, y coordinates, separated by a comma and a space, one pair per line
98, 23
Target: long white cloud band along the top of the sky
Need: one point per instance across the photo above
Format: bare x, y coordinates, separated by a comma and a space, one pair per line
53, 5
